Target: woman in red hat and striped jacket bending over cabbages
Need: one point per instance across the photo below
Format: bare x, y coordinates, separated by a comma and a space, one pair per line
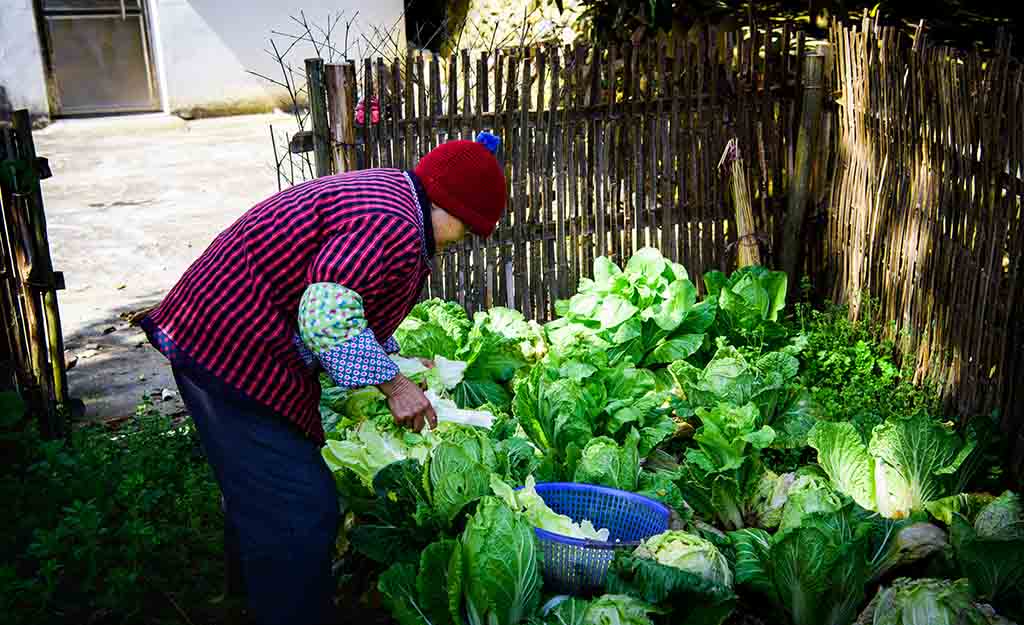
317, 277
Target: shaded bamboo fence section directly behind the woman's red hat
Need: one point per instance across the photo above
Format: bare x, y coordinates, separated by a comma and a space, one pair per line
606, 151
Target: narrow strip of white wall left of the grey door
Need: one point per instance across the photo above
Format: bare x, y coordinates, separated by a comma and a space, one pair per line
22, 75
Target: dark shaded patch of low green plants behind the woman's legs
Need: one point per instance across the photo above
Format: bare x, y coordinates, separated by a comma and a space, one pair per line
110, 528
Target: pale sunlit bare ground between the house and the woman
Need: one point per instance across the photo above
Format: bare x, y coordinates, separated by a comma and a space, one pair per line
134, 201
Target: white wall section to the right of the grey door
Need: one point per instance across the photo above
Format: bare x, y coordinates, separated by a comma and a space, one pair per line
204, 48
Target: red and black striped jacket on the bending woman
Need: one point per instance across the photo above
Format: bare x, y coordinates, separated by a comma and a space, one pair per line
234, 313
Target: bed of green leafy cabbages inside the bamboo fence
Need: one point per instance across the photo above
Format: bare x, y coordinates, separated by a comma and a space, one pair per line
805, 476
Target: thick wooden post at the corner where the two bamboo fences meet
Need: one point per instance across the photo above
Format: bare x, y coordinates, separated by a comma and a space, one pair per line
791, 247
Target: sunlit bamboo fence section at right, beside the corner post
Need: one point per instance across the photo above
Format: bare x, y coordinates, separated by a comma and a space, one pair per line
925, 210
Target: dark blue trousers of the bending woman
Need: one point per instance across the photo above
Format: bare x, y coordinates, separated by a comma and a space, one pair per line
281, 505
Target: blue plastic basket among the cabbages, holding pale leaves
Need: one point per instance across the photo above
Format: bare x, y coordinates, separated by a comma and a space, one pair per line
576, 566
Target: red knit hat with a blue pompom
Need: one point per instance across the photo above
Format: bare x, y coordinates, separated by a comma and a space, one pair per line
464, 179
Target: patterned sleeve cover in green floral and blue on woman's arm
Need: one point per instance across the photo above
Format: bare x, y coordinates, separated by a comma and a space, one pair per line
333, 327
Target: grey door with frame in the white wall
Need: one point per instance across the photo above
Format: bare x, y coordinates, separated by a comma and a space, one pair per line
100, 57
